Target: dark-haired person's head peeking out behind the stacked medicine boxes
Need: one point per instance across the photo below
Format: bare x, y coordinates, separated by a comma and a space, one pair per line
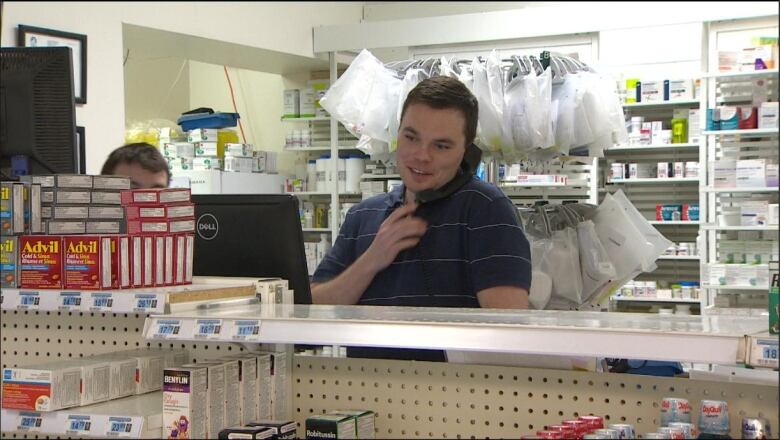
142, 162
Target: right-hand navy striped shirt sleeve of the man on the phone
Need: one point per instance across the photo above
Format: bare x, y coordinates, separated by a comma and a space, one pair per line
498, 250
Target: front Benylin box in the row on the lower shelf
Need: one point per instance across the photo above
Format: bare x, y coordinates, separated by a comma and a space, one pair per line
185, 401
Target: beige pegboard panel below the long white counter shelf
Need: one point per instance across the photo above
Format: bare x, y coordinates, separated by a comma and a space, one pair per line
440, 400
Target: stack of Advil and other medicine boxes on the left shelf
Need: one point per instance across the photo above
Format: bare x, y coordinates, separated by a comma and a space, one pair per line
92, 232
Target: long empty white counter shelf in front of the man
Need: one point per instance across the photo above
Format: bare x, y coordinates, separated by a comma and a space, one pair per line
626, 335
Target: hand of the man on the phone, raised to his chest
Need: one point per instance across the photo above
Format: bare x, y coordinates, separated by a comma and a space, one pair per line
400, 230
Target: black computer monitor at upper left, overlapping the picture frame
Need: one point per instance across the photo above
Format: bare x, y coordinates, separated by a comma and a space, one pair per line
37, 109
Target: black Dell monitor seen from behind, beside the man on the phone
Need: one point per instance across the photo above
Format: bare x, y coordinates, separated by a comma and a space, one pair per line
251, 235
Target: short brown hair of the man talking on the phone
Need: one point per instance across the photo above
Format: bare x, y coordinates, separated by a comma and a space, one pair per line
442, 92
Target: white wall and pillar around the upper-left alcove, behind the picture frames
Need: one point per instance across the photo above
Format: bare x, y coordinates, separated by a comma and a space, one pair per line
281, 26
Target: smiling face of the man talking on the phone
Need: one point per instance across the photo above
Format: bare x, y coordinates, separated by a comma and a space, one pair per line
431, 145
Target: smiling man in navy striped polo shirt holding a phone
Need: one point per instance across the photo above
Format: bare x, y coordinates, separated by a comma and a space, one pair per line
463, 250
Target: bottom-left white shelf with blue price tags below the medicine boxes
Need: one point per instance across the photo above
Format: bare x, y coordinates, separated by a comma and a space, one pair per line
130, 417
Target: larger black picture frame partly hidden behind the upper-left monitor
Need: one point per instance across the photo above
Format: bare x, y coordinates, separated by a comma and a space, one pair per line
31, 36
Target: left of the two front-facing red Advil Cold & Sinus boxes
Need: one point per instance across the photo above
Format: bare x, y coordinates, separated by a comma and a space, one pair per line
40, 261
